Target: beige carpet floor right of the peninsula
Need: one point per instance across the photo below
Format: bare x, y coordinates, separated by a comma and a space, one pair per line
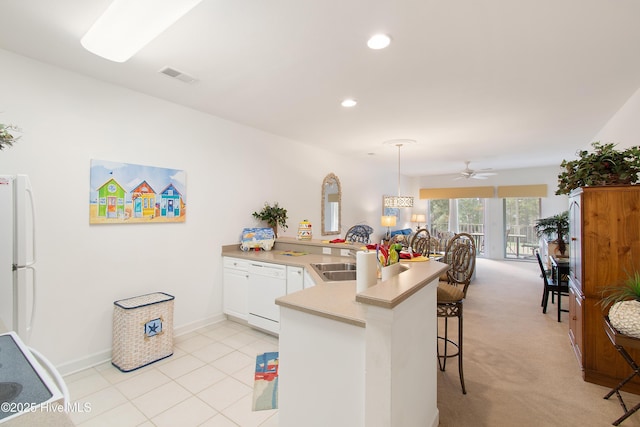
519, 367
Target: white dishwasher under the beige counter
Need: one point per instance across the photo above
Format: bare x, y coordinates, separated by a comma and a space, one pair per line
266, 283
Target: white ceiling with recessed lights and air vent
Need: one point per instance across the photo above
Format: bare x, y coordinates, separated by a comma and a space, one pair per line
500, 83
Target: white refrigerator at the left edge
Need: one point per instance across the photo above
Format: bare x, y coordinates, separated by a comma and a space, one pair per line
17, 255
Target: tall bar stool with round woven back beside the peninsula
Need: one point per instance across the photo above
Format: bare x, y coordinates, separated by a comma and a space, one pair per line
460, 254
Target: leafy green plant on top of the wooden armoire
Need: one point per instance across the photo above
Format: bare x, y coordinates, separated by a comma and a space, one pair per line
604, 166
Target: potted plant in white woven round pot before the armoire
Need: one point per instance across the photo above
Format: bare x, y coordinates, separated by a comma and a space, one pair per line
624, 312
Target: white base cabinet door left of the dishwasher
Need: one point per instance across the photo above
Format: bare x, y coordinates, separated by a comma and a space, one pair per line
235, 290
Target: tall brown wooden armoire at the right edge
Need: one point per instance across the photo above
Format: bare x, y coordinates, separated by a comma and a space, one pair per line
604, 246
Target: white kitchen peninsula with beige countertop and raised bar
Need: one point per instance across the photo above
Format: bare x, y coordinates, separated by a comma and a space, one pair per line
355, 359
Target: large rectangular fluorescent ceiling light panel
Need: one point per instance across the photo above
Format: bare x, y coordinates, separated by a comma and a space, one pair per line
128, 25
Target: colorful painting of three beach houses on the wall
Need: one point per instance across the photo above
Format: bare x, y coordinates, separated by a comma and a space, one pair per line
125, 193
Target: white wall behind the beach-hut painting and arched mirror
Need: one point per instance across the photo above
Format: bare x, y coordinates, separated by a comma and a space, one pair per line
68, 119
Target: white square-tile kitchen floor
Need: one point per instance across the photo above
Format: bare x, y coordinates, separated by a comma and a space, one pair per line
207, 382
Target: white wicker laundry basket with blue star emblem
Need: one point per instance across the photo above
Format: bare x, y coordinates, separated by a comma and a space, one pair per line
142, 330
